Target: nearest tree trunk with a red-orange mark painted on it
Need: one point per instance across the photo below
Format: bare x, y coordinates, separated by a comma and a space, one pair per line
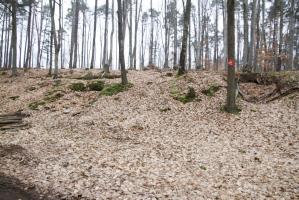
231, 85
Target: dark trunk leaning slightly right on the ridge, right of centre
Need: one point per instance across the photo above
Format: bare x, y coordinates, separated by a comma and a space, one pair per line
182, 68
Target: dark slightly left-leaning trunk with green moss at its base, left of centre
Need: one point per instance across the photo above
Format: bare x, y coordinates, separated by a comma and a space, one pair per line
121, 39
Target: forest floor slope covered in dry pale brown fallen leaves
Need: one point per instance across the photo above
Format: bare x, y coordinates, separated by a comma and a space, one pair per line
144, 144
